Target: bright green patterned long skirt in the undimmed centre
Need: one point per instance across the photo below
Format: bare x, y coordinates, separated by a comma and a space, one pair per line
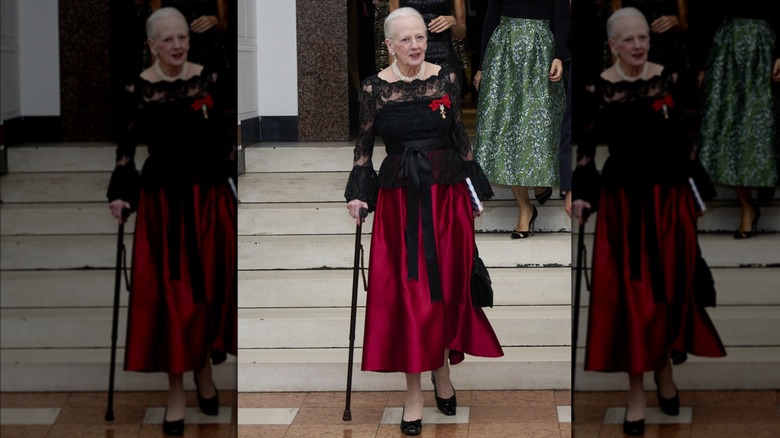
519, 112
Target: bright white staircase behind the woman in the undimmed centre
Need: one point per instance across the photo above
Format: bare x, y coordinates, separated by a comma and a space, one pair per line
296, 249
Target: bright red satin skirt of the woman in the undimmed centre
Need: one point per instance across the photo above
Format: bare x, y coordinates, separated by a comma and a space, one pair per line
404, 330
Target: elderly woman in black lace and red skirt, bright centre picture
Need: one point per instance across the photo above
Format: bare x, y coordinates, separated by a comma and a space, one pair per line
419, 312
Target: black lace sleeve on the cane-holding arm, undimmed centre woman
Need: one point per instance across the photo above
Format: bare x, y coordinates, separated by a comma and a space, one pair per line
363, 182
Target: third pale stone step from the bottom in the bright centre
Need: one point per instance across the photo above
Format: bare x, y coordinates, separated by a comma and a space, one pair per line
333, 288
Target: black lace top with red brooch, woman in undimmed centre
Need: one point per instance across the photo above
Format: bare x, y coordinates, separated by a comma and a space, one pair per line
406, 112
